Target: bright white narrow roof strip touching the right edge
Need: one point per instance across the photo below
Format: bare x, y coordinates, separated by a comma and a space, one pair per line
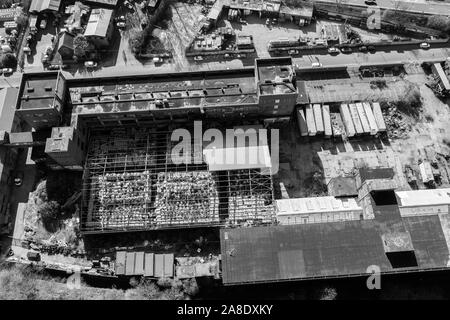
423, 197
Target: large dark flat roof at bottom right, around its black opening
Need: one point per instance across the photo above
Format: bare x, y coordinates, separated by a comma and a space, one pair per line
282, 253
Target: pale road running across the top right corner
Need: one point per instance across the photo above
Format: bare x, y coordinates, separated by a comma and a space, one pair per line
423, 7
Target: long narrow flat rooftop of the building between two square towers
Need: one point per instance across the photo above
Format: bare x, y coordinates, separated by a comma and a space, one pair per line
178, 90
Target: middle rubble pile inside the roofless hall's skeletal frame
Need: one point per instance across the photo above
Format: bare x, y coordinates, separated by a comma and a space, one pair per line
186, 197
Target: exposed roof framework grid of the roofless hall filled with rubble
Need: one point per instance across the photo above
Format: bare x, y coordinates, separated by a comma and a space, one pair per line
131, 183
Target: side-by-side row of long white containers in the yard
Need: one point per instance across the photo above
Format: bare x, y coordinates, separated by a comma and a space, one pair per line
357, 118
